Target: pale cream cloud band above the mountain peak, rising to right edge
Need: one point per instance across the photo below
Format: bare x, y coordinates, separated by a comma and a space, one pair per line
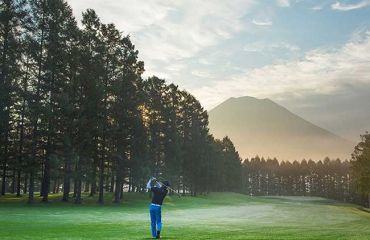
321, 71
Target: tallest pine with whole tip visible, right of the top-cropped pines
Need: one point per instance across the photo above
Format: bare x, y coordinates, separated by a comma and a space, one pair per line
90, 99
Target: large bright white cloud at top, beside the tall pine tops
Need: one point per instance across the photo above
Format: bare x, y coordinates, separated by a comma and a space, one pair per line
167, 31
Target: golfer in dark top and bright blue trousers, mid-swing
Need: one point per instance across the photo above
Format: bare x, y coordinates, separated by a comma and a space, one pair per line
159, 191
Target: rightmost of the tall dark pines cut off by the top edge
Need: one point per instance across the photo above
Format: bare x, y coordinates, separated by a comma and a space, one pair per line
57, 48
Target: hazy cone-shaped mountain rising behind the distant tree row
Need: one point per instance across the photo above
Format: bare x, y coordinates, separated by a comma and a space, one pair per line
262, 127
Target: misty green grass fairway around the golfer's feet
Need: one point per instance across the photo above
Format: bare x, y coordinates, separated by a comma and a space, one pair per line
216, 216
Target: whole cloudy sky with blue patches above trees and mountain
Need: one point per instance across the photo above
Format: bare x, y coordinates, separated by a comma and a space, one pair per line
311, 56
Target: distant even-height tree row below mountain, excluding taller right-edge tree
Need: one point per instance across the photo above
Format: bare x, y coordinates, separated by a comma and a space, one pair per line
327, 178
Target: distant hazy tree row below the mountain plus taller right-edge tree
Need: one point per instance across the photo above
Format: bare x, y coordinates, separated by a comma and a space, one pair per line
347, 181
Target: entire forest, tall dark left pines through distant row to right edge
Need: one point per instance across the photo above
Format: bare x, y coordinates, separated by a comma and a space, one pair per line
76, 115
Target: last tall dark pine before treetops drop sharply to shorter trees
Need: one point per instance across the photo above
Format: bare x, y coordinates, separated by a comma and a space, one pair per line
125, 108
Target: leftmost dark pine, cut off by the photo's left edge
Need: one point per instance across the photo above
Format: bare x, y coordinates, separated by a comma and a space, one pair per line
13, 16
